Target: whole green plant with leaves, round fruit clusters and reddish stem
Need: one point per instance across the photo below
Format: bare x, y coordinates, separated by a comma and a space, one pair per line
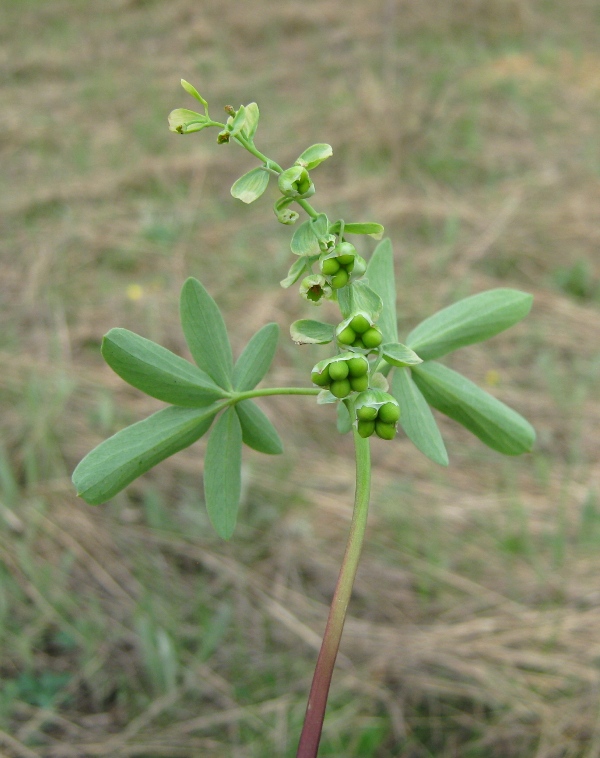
376, 381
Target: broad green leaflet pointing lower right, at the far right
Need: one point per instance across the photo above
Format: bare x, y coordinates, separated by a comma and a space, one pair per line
497, 425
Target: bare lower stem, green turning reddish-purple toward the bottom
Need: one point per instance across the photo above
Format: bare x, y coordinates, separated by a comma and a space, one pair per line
317, 700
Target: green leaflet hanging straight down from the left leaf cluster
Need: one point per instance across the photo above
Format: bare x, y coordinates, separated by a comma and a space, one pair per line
223, 473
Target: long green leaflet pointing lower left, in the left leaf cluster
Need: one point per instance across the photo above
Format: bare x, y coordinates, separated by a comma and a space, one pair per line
117, 461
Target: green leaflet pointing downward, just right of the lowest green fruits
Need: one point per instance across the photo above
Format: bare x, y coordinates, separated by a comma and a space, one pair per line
417, 419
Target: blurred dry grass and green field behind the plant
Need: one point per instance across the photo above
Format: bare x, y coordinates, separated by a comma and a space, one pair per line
470, 129
